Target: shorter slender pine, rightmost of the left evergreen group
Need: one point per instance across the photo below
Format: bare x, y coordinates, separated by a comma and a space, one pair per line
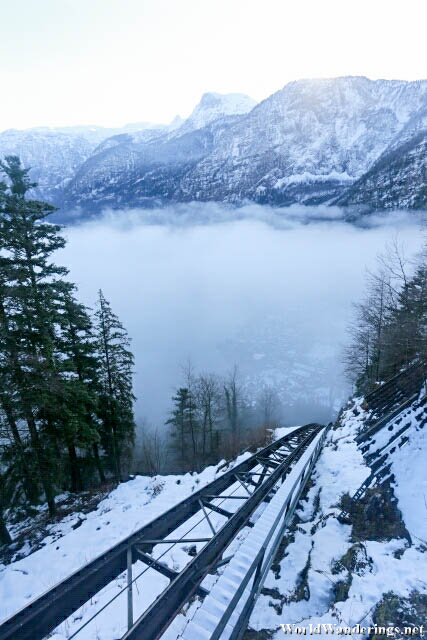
116, 398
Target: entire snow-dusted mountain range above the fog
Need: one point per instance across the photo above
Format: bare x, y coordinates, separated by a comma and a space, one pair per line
347, 141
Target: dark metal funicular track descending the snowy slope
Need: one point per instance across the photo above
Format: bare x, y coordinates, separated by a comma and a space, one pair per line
226, 505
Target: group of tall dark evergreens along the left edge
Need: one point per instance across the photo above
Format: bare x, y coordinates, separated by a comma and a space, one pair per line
66, 401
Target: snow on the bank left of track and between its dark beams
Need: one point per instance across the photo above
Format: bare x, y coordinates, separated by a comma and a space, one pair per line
80, 537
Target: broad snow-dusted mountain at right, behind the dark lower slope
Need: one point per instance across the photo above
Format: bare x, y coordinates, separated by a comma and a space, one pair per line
310, 140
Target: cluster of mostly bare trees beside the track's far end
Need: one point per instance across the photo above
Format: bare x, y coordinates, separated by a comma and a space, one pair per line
211, 417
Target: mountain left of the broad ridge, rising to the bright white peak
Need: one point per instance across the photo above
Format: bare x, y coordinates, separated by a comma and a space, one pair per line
149, 166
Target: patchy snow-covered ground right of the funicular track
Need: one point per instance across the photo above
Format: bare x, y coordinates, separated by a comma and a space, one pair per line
321, 540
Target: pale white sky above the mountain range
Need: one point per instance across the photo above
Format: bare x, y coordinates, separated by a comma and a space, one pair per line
111, 62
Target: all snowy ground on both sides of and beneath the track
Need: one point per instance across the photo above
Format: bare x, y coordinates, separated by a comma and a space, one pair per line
320, 540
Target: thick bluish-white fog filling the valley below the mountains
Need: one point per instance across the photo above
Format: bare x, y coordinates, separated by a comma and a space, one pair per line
189, 282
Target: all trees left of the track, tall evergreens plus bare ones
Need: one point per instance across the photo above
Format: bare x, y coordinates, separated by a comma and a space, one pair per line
66, 401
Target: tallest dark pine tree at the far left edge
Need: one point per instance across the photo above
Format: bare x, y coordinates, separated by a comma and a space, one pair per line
31, 314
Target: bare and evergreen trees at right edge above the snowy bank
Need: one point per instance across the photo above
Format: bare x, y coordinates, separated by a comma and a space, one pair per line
389, 330
